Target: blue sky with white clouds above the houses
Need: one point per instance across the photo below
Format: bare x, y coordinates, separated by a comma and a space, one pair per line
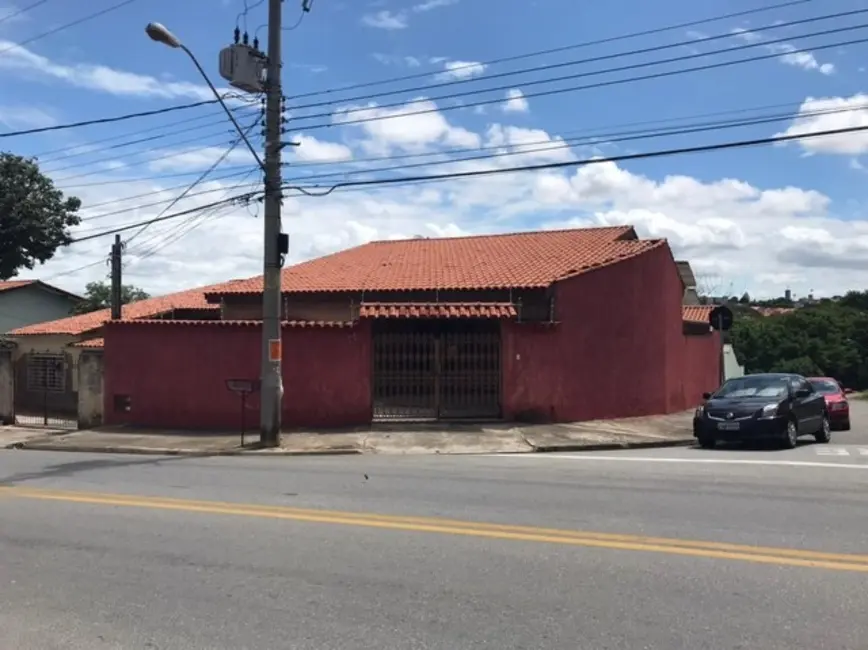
387, 89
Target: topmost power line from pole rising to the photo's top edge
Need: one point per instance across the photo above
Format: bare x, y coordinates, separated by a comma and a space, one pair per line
565, 48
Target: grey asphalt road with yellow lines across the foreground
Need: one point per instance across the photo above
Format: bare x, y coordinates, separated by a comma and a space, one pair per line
664, 549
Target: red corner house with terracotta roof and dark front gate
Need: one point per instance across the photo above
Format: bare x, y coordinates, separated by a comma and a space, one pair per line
547, 326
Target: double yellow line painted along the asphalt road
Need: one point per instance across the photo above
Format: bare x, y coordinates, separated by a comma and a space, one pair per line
689, 548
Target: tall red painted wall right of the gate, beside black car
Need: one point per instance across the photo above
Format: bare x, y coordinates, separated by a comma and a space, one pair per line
617, 349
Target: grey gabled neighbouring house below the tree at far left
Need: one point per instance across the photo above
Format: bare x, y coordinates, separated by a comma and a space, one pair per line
25, 302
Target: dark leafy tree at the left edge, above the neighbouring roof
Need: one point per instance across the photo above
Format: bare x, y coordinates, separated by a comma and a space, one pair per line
35, 217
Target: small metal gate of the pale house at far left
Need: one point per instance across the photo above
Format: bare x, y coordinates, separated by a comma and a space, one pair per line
45, 391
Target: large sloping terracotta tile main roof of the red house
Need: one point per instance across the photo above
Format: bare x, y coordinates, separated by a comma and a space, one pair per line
518, 260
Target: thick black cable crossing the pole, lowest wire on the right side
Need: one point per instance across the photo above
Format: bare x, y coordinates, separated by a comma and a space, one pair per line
308, 191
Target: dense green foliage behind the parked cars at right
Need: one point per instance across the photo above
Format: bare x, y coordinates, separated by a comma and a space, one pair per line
830, 339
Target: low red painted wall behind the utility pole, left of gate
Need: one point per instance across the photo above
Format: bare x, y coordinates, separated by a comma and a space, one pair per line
175, 375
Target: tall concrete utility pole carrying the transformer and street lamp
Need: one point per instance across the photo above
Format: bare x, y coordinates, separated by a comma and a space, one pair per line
271, 396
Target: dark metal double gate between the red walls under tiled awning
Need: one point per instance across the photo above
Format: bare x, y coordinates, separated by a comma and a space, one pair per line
429, 370
